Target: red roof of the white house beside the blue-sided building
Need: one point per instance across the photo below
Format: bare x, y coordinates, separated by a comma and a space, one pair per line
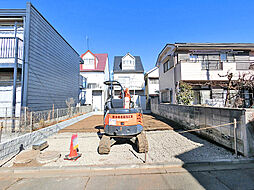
102, 60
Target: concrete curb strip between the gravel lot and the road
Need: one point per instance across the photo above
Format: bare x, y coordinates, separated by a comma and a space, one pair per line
127, 169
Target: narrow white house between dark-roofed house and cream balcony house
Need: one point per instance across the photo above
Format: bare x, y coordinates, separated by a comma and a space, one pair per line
151, 85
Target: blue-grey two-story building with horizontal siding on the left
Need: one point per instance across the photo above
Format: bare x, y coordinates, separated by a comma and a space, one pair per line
39, 69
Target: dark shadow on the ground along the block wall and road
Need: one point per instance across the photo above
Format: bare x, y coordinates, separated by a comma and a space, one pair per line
220, 179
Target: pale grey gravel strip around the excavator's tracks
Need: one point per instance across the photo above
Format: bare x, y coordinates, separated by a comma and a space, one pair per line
164, 146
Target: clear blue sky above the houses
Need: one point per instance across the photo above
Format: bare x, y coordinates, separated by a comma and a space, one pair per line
143, 27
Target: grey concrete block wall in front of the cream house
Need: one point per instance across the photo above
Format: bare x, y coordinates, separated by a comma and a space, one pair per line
195, 117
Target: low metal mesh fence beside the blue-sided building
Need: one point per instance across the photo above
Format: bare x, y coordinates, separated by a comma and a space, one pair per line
30, 121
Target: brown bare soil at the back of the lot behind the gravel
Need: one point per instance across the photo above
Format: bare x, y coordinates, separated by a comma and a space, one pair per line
95, 124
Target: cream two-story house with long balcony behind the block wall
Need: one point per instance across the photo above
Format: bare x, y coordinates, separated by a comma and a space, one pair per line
204, 66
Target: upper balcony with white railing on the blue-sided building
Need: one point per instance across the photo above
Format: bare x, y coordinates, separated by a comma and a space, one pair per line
11, 51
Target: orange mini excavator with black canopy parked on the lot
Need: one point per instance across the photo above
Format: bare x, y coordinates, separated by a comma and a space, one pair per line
121, 121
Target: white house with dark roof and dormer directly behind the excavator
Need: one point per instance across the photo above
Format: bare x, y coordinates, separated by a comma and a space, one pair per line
129, 71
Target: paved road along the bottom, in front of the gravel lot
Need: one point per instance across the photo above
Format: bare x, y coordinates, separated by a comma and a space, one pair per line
229, 176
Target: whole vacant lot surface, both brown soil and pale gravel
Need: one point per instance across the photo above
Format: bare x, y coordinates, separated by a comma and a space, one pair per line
164, 142
